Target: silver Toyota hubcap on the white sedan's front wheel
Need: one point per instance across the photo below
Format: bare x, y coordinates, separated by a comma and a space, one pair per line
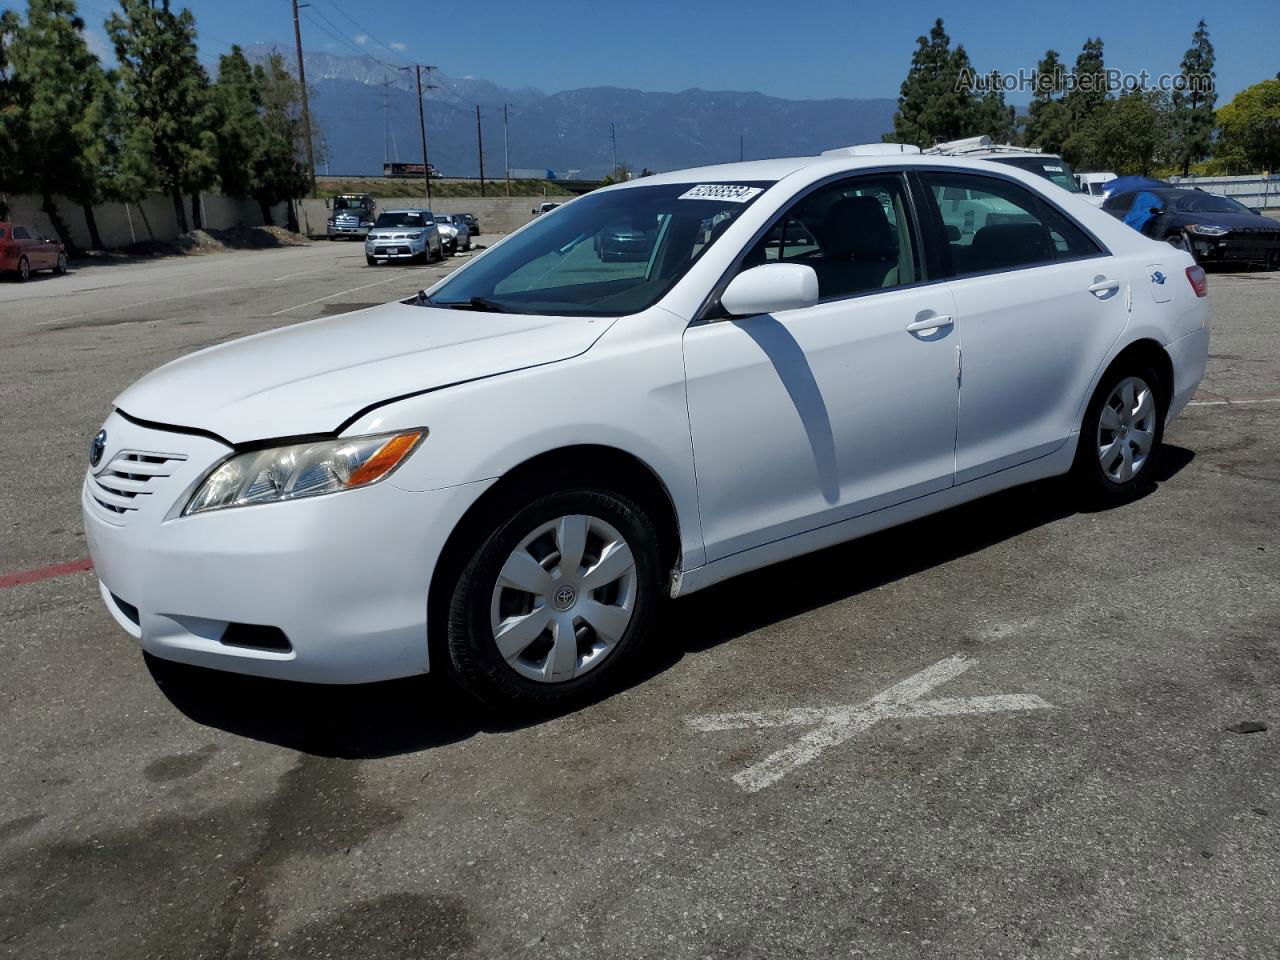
564, 600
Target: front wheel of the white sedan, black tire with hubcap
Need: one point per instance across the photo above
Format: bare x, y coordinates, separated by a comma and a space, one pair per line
610, 618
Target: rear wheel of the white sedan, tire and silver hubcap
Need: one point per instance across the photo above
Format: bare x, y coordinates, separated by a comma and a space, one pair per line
1118, 451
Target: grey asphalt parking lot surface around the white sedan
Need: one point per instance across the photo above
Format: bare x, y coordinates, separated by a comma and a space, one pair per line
1011, 730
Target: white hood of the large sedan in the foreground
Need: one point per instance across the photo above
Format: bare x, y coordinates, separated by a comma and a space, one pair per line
312, 378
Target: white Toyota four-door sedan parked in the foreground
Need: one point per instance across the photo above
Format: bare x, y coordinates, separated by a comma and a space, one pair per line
504, 478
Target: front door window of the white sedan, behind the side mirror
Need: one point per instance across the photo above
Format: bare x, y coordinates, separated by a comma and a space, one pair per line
857, 235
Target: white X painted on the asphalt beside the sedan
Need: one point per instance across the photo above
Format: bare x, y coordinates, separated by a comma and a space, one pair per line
838, 725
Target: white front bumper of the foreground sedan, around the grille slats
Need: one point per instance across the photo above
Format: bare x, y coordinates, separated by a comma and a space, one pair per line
345, 577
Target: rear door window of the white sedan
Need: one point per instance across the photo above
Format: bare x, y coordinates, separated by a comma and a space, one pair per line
994, 225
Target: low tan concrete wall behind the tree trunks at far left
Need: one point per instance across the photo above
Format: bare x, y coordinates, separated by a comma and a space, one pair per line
122, 225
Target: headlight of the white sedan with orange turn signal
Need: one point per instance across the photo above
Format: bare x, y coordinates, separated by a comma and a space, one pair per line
303, 470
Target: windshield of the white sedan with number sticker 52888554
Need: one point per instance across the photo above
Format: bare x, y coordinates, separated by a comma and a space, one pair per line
607, 254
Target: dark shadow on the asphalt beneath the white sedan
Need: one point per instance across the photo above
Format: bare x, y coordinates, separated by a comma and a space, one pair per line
420, 714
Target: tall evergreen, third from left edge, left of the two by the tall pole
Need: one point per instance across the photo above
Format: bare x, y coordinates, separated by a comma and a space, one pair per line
167, 92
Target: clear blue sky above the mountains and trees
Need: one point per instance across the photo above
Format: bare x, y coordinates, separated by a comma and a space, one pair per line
810, 49
